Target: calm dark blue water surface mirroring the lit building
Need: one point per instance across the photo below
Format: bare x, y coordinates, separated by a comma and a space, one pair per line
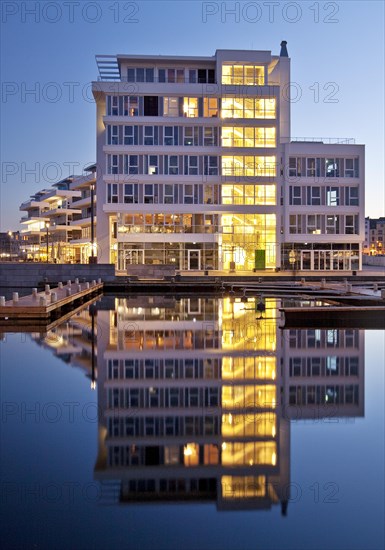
166, 423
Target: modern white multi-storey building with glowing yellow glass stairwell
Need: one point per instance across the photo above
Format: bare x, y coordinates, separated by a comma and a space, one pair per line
197, 168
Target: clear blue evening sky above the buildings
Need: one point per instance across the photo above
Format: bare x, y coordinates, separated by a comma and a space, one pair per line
48, 61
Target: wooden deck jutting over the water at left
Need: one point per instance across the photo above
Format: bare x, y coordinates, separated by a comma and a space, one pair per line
49, 303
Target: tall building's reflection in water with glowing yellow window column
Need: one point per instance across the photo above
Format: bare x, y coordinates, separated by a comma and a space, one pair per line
190, 404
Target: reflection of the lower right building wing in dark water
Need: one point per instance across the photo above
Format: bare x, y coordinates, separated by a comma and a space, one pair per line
324, 373
